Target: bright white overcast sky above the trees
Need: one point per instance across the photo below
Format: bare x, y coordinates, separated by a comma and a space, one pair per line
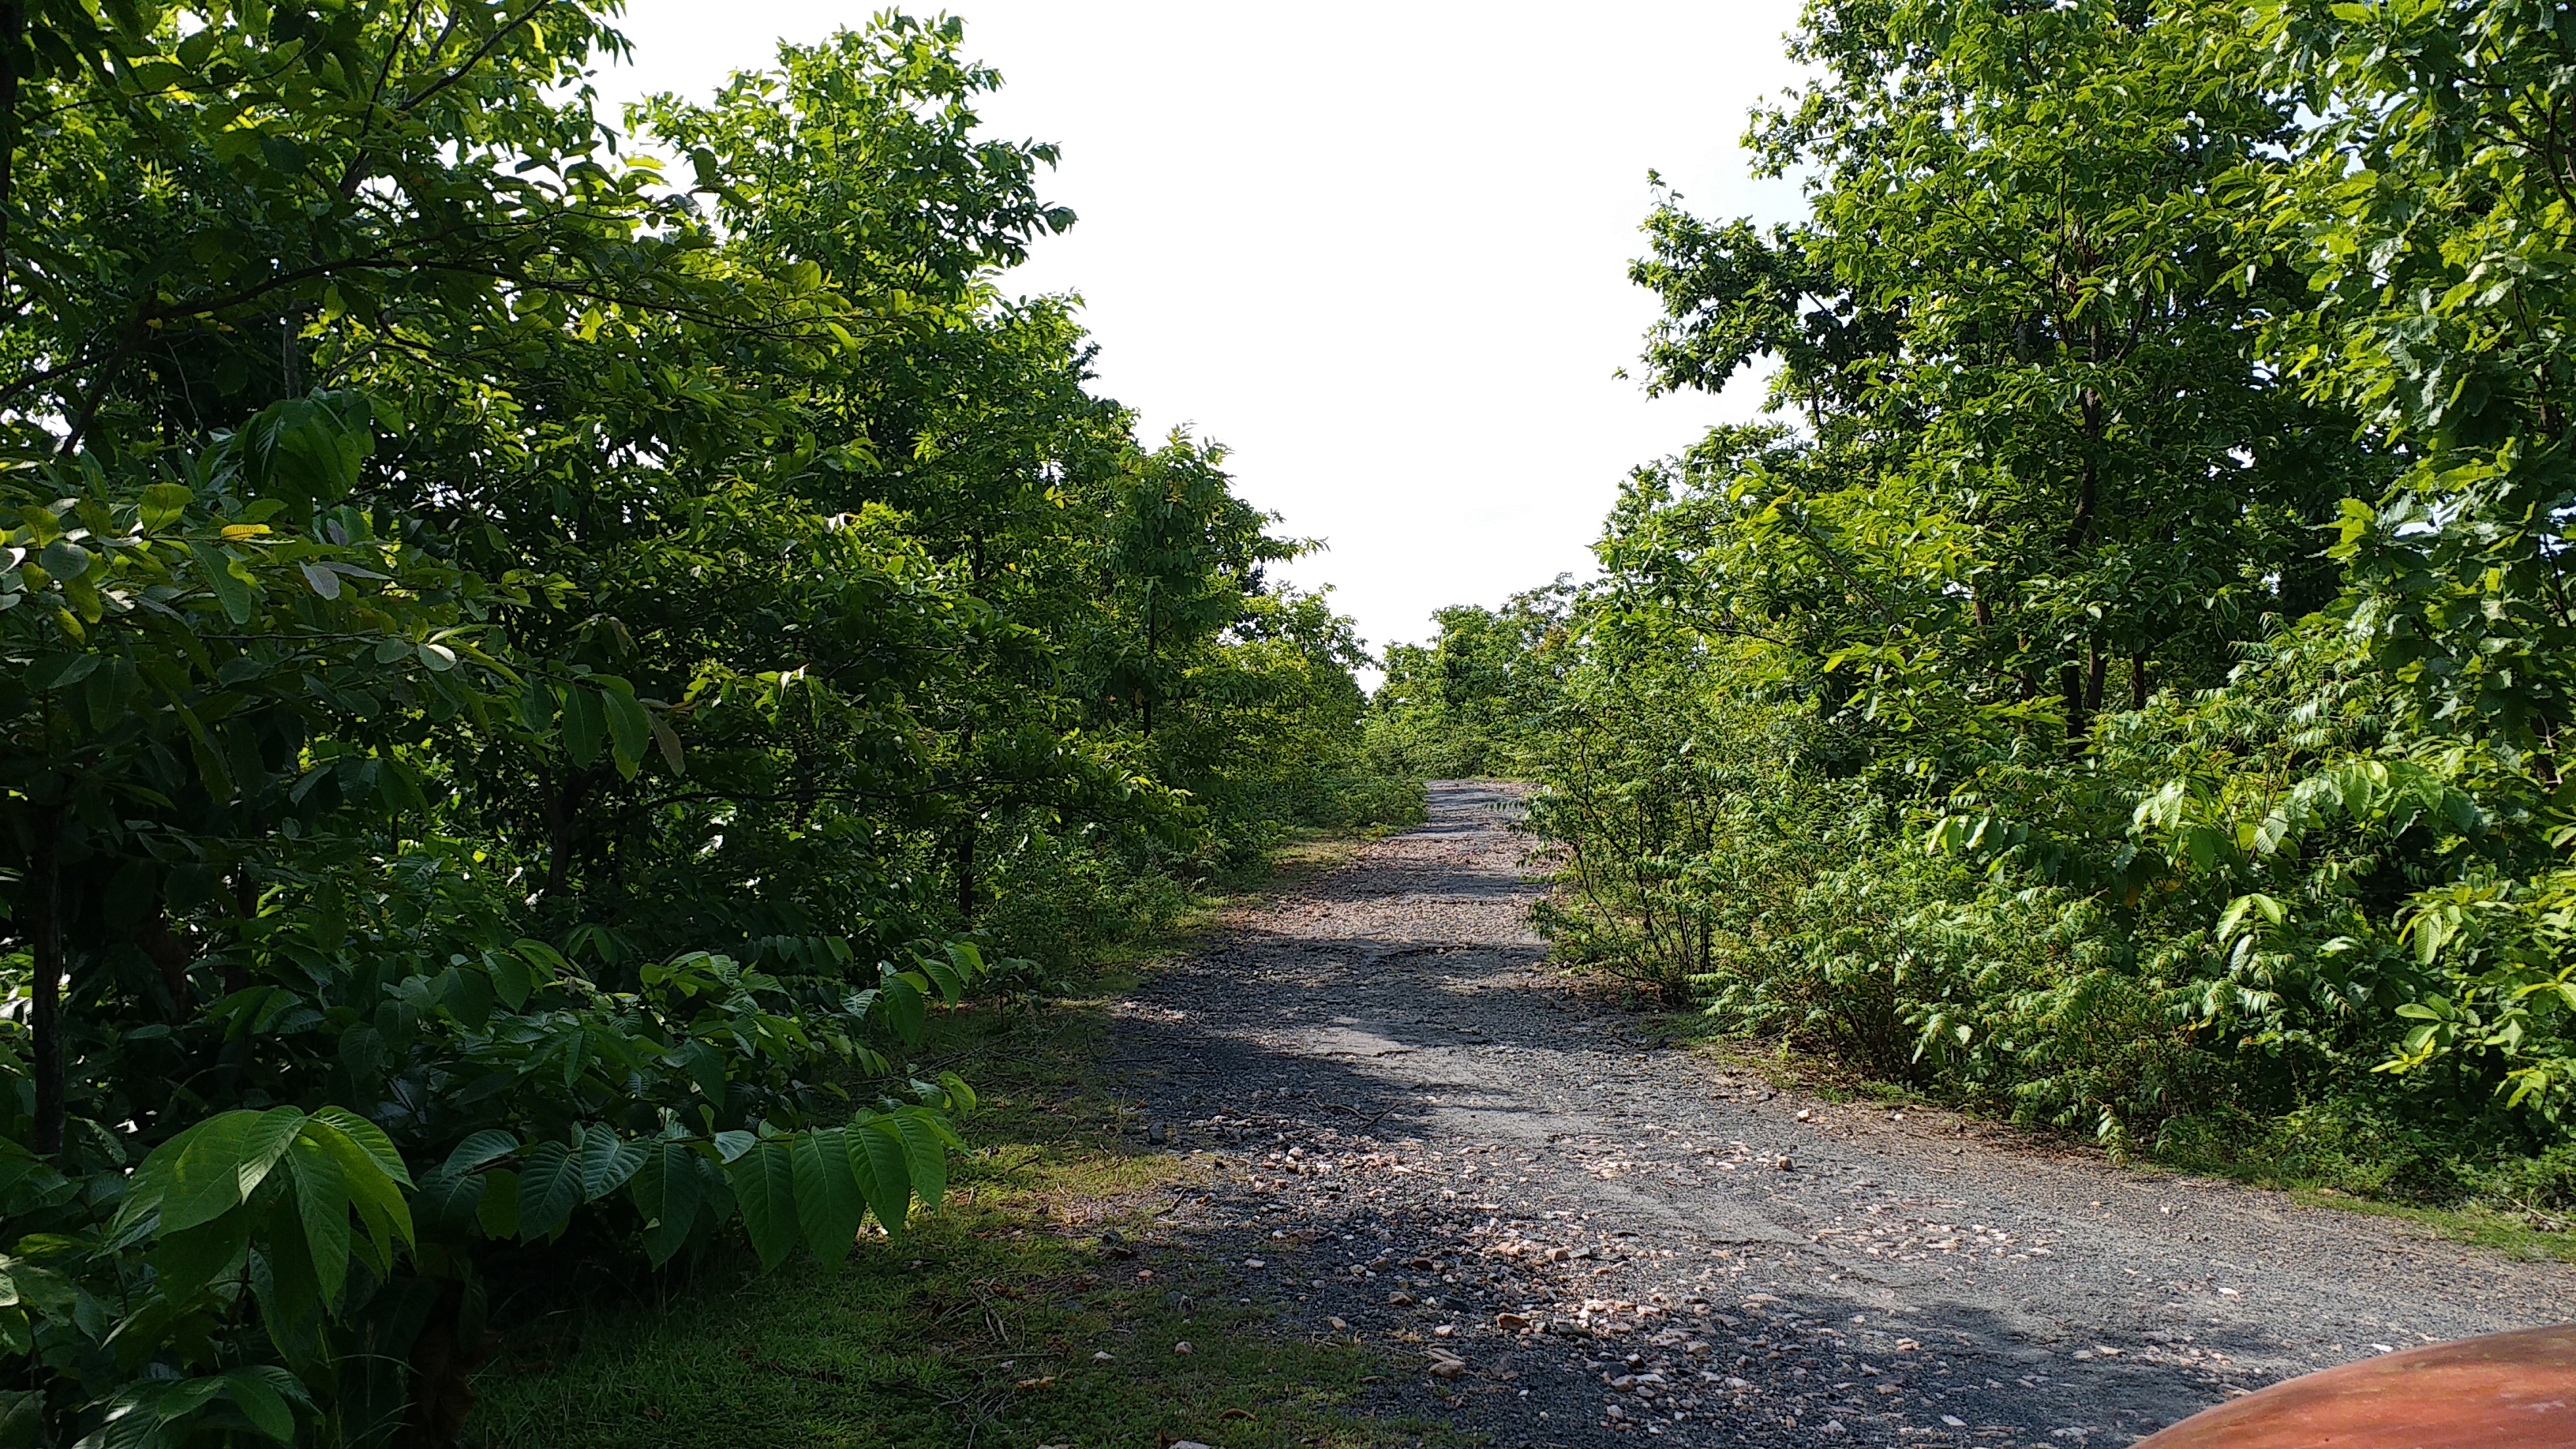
1374, 249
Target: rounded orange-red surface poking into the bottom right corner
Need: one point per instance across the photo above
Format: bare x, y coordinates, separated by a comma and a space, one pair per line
2508, 1391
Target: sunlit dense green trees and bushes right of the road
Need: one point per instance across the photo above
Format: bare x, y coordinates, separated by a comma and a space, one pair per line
2124, 687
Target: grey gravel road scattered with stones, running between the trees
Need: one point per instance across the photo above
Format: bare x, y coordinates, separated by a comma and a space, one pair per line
1586, 1236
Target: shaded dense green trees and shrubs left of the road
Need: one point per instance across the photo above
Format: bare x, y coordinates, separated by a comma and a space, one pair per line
524, 682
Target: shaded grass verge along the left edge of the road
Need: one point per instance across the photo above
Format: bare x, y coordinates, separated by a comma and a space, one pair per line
985, 1321
